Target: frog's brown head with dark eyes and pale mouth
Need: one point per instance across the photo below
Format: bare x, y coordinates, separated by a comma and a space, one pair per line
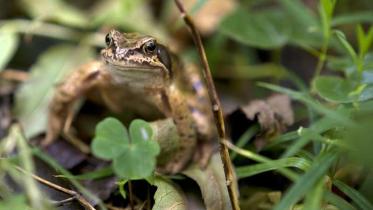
137, 59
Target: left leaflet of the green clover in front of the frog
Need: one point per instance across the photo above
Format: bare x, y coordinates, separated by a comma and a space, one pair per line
110, 140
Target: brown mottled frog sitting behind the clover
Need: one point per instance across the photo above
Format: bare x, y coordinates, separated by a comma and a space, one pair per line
137, 72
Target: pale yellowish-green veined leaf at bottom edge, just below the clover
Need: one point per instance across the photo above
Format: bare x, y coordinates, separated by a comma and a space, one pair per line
168, 196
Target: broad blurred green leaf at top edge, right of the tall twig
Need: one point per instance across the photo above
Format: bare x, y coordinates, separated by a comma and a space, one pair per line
292, 23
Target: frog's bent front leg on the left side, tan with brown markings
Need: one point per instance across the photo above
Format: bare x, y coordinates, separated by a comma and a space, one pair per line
61, 108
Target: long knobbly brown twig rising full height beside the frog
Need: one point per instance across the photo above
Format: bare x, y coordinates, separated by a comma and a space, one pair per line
216, 108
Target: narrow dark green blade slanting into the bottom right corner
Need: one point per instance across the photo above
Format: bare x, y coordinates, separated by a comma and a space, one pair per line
356, 197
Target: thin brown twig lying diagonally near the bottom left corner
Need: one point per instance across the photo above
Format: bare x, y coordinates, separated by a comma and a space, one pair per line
74, 194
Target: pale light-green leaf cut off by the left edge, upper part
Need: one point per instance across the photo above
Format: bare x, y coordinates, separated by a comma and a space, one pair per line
8, 46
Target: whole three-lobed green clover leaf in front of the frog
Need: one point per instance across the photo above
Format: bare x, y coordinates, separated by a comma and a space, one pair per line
133, 154
